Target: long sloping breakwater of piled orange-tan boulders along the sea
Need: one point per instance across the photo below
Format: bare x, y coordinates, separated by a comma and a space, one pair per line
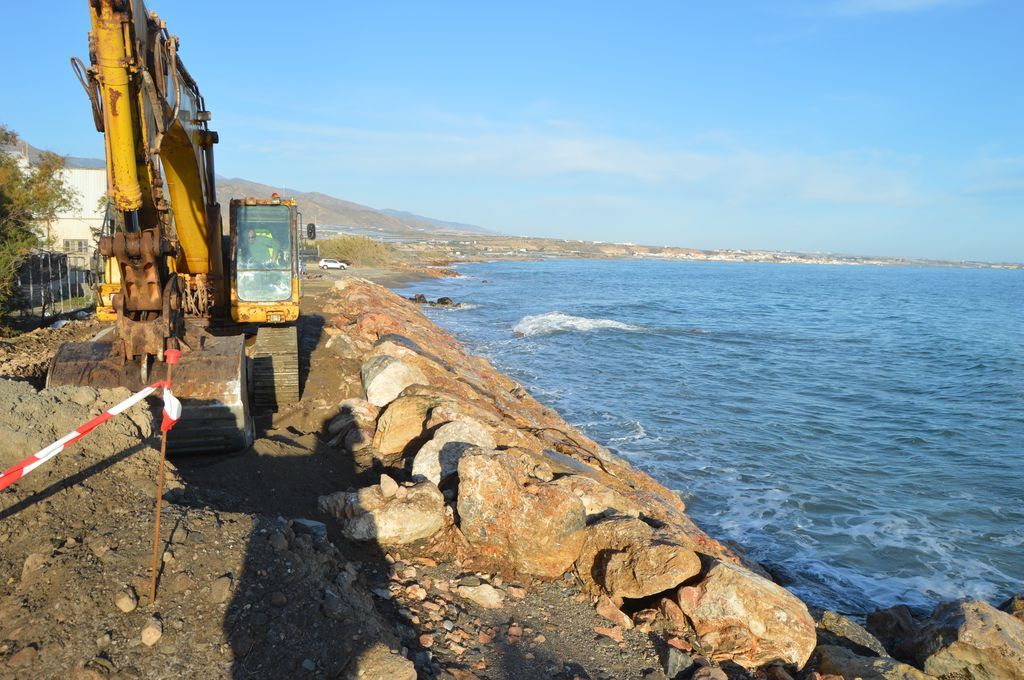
475, 470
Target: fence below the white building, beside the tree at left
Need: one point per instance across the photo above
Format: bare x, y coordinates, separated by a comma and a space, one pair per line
52, 284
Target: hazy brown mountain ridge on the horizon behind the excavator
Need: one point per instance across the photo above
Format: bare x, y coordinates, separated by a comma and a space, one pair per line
325, 210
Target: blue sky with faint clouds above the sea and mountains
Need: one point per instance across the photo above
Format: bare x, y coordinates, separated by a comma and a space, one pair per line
888, 127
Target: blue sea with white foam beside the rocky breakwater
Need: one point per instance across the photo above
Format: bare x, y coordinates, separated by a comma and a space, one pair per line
859, 431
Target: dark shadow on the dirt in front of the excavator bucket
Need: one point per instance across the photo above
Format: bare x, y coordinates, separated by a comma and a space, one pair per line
297, 610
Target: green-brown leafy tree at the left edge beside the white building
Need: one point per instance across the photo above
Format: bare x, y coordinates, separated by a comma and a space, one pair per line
30, 197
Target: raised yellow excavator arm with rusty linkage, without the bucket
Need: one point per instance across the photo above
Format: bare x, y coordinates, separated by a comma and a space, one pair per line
160, 177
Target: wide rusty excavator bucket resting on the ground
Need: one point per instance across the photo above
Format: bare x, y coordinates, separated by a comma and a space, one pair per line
210, 382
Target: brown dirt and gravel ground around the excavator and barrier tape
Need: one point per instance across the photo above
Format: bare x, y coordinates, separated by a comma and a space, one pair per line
254, 581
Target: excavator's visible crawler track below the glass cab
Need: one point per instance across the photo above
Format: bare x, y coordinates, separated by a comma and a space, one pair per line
276, 367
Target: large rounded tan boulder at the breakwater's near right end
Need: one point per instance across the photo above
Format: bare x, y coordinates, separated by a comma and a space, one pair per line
747, 619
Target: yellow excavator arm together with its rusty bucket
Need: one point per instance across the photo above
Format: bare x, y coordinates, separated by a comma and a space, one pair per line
164, 257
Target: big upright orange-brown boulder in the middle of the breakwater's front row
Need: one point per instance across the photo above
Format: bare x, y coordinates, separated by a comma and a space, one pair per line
534, 529
